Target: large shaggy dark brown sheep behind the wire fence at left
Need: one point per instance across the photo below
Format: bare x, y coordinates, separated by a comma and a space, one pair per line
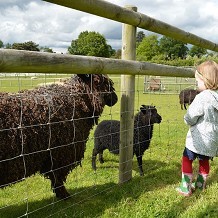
45, 130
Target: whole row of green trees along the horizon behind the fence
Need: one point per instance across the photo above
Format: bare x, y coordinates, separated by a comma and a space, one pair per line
150, 47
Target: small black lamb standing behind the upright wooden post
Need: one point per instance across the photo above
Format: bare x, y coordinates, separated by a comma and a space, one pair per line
107, 135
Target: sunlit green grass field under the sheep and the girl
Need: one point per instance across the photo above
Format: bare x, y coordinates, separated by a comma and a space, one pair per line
98, 194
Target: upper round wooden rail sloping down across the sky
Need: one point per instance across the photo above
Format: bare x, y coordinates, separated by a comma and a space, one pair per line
114, 12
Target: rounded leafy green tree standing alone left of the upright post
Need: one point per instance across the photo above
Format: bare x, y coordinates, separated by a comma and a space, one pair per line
90, 44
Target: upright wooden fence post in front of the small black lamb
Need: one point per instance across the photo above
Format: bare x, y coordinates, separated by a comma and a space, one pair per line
127, 104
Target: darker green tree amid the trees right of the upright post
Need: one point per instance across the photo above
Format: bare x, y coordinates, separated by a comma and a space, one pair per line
173, 48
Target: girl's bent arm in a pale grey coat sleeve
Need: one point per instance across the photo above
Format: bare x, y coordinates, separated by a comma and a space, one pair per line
194, 111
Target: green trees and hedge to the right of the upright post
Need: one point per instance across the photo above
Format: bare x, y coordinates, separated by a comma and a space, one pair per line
166, 50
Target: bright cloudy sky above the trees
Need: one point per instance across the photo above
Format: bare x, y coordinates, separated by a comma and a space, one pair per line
56, 26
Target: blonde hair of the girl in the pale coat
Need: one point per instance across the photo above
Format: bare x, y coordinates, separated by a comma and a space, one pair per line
208, 71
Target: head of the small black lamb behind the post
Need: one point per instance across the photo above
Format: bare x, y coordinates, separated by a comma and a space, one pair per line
151, 114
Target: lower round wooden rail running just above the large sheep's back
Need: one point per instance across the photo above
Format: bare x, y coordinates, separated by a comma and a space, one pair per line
41, 62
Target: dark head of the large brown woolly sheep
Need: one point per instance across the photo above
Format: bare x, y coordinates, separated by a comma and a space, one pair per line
103, 85
